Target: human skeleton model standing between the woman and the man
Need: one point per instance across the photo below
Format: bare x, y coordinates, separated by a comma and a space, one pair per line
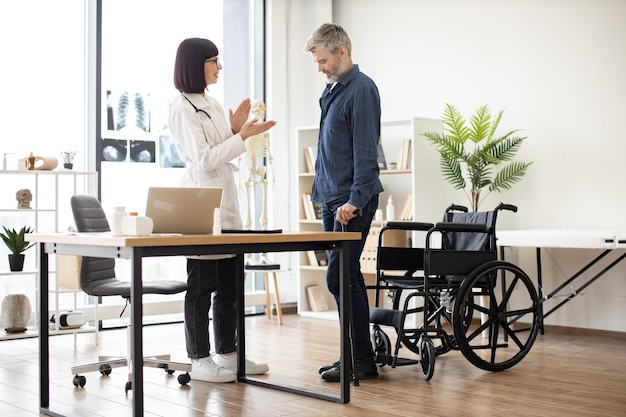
257, 146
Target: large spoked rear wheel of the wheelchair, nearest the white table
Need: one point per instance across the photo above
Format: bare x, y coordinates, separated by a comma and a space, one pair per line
498, 316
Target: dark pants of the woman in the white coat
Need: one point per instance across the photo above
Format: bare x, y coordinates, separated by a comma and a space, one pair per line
208, 279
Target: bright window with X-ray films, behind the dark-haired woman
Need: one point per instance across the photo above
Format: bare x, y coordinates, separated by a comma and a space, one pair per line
139, 43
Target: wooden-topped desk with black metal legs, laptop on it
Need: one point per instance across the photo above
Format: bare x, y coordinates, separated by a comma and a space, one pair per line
136, 248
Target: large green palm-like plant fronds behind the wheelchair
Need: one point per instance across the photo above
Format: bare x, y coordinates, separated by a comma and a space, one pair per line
472, 154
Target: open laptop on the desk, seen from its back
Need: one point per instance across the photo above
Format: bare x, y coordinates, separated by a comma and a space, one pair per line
183, 210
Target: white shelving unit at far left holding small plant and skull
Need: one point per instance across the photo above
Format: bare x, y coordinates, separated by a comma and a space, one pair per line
50, 212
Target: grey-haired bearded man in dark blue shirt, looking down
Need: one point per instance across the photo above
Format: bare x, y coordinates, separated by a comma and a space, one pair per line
346, 174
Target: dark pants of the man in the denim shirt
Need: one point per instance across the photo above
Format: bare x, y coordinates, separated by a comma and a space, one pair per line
363, 351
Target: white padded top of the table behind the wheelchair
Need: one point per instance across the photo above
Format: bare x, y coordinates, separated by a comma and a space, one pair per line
563, 238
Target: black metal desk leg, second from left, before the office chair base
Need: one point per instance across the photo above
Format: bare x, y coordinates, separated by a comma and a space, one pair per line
136, 320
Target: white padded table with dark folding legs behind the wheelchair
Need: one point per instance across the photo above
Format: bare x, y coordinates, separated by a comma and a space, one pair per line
603, 239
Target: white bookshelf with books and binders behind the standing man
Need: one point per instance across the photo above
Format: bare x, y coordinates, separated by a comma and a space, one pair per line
398, 183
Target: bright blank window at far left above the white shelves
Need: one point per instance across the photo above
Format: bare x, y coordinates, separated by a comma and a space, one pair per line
43, 79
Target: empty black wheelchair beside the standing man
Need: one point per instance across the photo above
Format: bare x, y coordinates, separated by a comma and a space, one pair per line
452, 294
